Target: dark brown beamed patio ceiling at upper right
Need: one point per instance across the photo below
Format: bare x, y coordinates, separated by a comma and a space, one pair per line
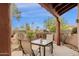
60, 8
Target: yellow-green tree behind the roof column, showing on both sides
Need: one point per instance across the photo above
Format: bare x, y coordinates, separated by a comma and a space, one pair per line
50, 24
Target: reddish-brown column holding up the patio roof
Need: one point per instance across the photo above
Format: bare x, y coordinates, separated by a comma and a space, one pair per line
57, 31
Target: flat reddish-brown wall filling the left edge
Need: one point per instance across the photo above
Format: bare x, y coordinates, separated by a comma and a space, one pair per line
4, 29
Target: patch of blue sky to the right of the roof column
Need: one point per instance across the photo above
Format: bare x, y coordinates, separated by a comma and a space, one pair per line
70, 16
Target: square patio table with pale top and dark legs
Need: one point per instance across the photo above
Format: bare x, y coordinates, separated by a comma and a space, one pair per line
43, 43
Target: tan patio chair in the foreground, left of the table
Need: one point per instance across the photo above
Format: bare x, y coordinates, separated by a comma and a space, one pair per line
25, 44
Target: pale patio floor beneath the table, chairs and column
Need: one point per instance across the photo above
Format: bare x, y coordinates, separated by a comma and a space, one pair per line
57, 51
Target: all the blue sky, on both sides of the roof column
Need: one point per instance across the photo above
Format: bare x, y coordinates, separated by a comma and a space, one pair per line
34, 13
